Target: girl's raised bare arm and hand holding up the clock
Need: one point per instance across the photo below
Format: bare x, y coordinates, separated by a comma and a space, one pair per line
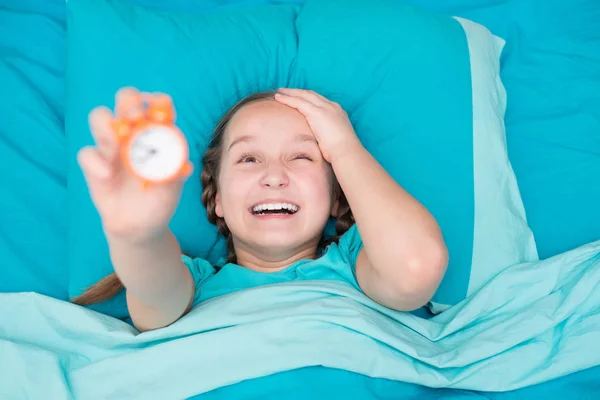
145, 254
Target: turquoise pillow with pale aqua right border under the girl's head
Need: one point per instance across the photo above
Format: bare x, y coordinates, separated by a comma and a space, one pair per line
422, 91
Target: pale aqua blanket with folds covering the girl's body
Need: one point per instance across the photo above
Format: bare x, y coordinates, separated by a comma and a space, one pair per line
531, 323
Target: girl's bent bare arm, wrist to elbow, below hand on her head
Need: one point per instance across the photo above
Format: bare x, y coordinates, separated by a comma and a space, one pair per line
404, 256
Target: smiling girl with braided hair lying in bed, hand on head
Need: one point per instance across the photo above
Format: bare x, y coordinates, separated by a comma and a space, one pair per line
278, 167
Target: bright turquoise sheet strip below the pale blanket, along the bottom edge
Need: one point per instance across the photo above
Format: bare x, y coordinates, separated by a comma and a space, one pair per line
320, 383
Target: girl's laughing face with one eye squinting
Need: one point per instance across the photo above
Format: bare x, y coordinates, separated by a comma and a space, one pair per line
275, 189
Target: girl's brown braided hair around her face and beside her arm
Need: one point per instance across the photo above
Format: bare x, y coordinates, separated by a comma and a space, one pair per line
110, 286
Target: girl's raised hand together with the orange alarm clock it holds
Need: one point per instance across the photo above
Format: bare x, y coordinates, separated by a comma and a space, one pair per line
137, 168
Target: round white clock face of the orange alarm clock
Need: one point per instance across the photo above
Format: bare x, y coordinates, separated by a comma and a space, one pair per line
157, 153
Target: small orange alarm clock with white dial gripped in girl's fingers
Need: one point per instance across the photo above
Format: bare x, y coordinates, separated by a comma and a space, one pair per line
153, 149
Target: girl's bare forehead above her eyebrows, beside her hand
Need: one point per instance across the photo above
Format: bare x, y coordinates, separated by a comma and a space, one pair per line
267, 119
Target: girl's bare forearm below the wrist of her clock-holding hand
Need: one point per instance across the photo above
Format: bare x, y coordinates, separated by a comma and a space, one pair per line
159, 286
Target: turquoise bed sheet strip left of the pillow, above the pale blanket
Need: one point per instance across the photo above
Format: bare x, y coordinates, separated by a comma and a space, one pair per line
33, 184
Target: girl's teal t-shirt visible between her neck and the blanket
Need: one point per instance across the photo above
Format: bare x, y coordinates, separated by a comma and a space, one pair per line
337, 263
